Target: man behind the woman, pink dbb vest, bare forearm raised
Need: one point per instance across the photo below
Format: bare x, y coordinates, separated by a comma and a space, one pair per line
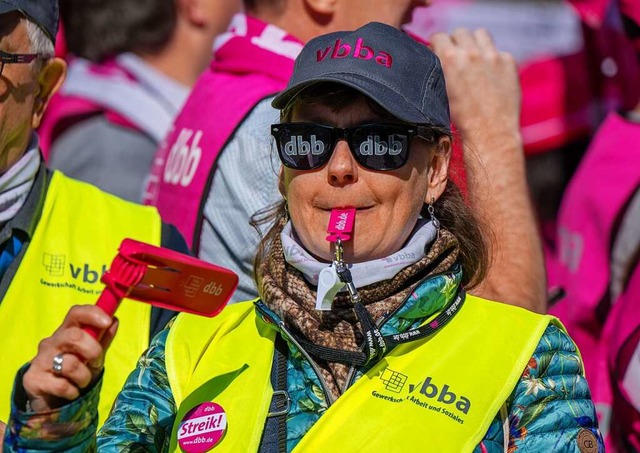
215, 170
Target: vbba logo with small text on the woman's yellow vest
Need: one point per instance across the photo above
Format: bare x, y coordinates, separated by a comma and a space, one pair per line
429, 394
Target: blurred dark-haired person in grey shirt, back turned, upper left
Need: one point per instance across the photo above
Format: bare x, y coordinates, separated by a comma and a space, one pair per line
132, 64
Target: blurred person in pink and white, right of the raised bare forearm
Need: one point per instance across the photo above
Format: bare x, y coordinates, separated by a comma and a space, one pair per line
573, 69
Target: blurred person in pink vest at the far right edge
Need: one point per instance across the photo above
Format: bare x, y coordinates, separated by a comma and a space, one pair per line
598, 259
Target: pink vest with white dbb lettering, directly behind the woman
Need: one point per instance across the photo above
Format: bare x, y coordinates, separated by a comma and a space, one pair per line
251, 62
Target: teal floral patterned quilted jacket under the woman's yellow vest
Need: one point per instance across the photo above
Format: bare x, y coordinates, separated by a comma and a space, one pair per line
550, 410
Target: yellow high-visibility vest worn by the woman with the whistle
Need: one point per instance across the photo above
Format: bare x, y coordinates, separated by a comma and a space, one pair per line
424, 393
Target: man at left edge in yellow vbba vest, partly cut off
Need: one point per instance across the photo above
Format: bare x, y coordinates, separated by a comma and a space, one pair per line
57, 235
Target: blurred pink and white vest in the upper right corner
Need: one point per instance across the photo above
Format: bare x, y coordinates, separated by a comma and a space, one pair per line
556, 65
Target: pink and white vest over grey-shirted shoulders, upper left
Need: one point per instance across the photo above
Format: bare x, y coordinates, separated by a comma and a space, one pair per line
110, 89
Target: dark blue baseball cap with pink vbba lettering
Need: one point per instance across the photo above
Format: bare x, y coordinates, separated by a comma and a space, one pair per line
383, 63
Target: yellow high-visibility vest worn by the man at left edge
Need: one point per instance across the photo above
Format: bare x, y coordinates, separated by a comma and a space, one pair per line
74, 242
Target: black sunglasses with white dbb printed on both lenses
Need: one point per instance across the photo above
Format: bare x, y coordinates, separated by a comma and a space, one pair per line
305, 146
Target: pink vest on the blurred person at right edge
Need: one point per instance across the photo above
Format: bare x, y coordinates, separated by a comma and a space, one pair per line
606, 179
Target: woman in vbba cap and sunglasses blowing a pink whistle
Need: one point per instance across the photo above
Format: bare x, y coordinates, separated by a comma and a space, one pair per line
364, 338
